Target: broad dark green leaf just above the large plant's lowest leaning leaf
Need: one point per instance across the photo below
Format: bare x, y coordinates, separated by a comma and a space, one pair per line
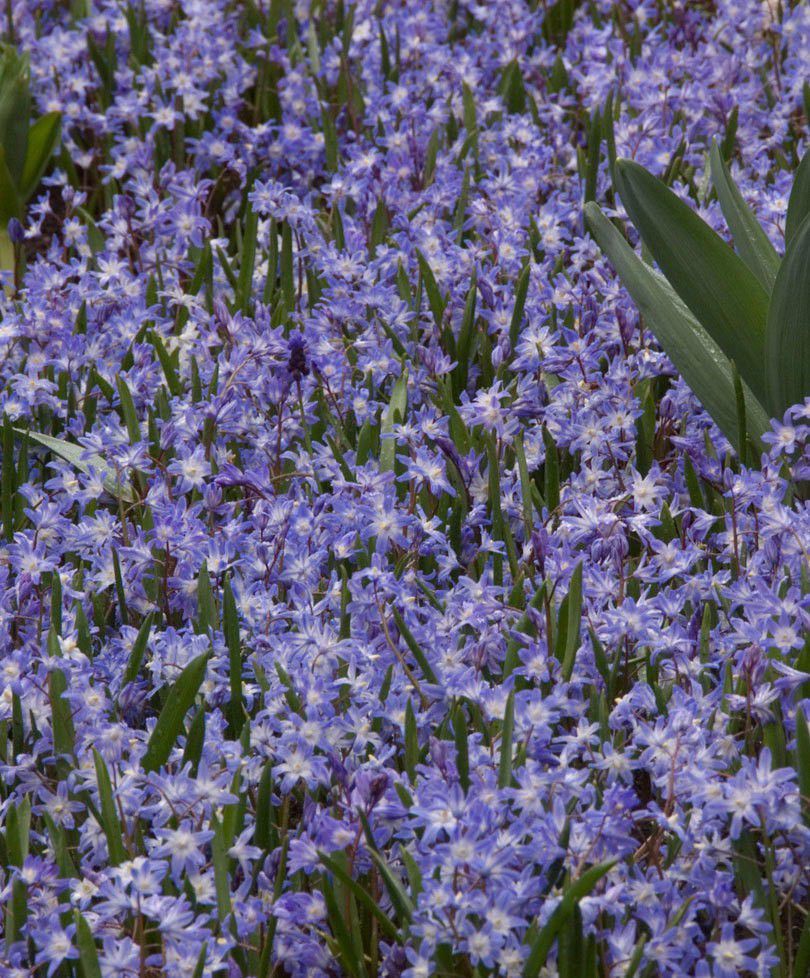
723, 295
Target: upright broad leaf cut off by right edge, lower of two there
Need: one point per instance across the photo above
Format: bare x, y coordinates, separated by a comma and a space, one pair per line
788, 339
